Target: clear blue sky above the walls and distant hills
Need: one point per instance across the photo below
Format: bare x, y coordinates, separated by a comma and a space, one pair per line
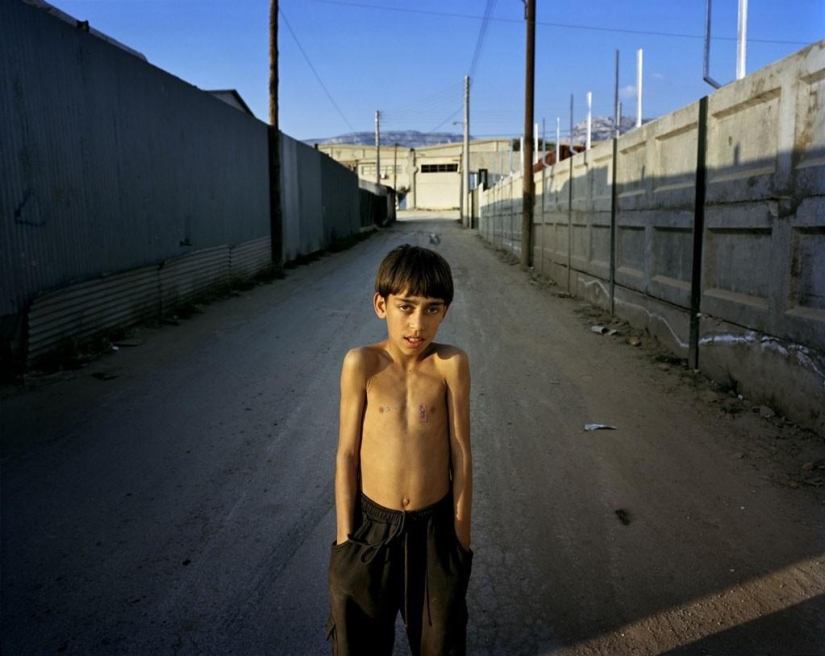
341, 60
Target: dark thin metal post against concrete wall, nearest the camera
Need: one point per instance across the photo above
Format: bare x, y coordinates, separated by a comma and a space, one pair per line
698, 235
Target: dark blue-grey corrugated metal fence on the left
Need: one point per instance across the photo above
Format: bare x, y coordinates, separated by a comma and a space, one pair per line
125, 189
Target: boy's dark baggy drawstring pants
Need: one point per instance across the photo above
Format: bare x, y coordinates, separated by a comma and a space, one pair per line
407, 561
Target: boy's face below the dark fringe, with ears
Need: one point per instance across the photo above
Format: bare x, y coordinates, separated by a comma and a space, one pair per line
412, 321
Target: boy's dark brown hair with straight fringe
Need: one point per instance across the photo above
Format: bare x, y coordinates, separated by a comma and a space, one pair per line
417, 271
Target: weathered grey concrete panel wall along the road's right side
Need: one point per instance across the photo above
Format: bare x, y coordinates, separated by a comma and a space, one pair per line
762, 284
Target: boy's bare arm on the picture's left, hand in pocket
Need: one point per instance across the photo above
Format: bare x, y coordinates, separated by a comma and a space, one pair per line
347, 462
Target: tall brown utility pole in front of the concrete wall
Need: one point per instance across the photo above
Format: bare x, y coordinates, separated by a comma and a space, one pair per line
527, 154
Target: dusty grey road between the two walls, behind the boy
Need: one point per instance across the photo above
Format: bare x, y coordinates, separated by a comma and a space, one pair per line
175, 497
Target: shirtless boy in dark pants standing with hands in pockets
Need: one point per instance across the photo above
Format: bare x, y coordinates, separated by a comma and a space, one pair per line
403, 479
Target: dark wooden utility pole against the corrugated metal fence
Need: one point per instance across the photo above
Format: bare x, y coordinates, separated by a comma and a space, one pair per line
274, 144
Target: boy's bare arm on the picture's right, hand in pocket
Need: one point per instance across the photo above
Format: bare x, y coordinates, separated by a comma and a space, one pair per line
461, 458
